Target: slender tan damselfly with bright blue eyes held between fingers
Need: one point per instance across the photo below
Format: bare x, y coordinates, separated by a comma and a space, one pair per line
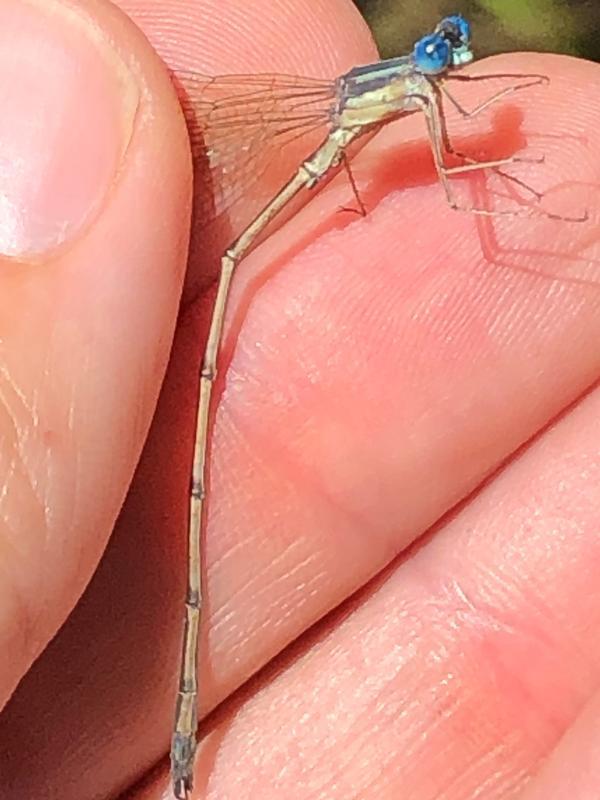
230, 109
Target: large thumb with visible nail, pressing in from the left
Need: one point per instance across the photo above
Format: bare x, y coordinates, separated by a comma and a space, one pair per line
95, 187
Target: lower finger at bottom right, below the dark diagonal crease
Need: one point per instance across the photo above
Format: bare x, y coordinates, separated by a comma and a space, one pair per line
452, 675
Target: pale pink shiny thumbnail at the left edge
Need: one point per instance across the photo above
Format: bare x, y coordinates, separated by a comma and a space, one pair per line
67, 111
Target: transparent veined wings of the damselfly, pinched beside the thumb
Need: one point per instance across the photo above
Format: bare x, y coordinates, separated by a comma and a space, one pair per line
248, 134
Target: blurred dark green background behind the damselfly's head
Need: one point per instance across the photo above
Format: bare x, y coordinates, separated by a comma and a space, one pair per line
558, 26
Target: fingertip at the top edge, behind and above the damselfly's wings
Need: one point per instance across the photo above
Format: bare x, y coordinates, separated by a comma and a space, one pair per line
320, 38
